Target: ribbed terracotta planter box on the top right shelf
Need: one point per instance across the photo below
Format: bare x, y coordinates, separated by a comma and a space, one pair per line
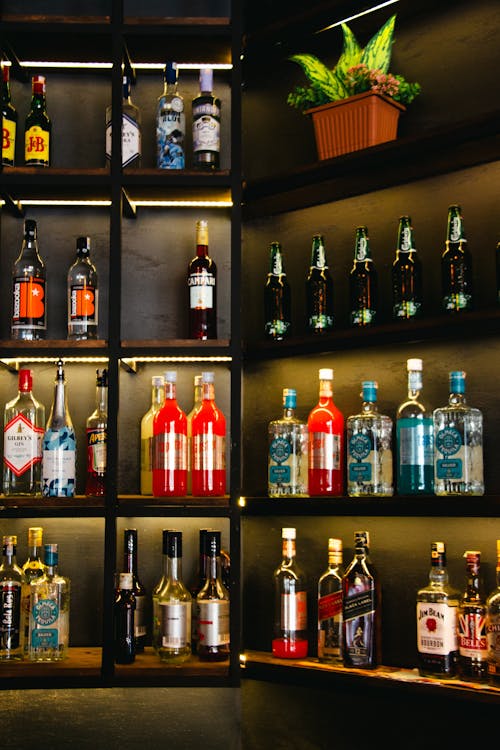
351, 124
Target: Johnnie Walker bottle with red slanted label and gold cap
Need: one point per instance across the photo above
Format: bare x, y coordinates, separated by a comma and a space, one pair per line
330, 606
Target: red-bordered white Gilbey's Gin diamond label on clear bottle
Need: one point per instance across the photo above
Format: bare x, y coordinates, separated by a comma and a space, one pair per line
22, 444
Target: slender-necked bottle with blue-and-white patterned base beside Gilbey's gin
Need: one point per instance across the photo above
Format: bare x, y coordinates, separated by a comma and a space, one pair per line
59, 445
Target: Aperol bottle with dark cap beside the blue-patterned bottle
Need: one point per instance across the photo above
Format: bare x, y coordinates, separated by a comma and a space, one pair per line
97, 438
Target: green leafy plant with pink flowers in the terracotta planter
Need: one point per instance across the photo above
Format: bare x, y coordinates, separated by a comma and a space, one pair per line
356, 71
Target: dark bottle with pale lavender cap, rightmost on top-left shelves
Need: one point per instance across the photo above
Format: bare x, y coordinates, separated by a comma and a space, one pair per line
206, 124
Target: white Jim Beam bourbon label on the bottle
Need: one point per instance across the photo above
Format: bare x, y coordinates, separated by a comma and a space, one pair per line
436, 628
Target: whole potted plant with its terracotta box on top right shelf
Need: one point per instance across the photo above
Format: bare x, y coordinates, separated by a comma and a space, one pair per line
357, 103
